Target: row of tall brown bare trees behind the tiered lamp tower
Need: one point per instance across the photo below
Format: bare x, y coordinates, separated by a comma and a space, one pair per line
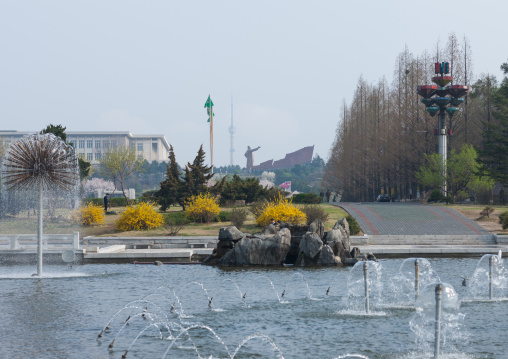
384, 133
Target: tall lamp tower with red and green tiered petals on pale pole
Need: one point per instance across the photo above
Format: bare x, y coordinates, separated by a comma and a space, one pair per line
442, 98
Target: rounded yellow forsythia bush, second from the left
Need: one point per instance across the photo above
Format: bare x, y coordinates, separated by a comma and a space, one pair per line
141, 216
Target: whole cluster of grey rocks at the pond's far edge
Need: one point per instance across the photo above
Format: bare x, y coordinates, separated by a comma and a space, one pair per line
299, 245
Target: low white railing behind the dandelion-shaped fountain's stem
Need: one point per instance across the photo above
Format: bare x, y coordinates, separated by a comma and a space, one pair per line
29, 241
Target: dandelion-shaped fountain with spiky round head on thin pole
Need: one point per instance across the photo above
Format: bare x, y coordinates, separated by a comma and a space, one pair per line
43, 162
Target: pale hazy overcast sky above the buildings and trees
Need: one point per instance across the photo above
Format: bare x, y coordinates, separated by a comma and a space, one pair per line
148, 66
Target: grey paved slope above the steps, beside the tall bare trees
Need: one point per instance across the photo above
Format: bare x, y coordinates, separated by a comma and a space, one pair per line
410, 219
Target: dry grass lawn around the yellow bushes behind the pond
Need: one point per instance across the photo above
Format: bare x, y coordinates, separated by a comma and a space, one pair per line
22, 224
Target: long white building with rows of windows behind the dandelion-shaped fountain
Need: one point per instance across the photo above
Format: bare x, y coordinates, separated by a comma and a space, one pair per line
91, 145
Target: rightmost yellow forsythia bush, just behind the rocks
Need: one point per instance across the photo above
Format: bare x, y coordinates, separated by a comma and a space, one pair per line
281, 210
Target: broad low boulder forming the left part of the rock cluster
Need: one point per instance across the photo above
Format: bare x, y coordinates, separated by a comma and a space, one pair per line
259, 250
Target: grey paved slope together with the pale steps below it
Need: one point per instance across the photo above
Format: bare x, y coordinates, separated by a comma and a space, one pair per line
413, 229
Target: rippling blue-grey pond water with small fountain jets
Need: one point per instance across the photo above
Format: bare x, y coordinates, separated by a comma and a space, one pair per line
171, 311
